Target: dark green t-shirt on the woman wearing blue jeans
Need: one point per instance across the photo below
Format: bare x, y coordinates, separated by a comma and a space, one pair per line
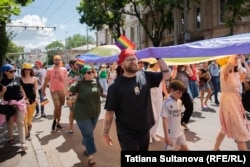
88, 103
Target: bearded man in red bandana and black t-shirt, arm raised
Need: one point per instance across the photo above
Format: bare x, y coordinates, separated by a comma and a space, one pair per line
130, 100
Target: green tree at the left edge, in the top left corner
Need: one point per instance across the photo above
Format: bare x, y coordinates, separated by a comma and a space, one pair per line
8, 8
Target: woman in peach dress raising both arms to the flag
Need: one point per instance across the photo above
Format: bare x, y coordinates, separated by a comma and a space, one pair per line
231, 111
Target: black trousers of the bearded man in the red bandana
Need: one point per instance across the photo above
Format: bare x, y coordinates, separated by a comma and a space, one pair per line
133, 141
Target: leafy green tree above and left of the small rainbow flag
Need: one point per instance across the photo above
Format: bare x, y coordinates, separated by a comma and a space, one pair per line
97, 14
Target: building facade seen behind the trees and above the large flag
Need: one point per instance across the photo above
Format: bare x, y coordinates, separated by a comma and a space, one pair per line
203, 21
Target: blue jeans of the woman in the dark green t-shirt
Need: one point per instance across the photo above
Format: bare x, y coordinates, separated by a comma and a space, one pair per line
87, 129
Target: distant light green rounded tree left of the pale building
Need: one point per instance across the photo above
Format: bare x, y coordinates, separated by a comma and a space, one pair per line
78, 40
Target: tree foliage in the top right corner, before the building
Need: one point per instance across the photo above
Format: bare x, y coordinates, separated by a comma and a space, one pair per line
234, 10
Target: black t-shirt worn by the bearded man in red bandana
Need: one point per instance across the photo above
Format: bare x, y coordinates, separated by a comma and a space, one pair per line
132, 103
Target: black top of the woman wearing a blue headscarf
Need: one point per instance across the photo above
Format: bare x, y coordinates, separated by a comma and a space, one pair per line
13, 89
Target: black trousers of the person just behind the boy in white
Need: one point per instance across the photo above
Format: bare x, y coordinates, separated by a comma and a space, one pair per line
189, 106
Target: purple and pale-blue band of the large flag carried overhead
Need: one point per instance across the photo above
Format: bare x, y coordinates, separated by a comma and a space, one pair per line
236, 44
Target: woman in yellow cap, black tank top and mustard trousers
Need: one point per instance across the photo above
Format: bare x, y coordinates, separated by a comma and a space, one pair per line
29, 84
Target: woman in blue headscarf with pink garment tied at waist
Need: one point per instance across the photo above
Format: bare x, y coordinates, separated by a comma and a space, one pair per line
13, 94
